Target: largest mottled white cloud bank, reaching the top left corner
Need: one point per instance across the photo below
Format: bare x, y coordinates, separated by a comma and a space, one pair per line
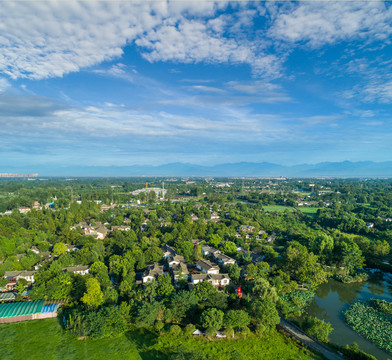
49, 39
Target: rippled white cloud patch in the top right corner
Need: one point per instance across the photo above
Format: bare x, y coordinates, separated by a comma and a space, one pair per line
318, 23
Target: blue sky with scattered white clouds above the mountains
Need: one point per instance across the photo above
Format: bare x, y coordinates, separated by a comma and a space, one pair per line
118, 83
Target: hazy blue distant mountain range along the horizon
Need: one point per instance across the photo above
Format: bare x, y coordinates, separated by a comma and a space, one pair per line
246, 169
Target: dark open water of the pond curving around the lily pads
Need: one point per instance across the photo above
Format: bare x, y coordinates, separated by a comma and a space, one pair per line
333, 297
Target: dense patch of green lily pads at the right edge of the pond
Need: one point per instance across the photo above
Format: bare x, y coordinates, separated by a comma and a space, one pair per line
373, 320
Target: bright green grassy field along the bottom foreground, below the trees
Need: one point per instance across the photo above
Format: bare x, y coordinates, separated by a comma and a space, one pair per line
44, 339
